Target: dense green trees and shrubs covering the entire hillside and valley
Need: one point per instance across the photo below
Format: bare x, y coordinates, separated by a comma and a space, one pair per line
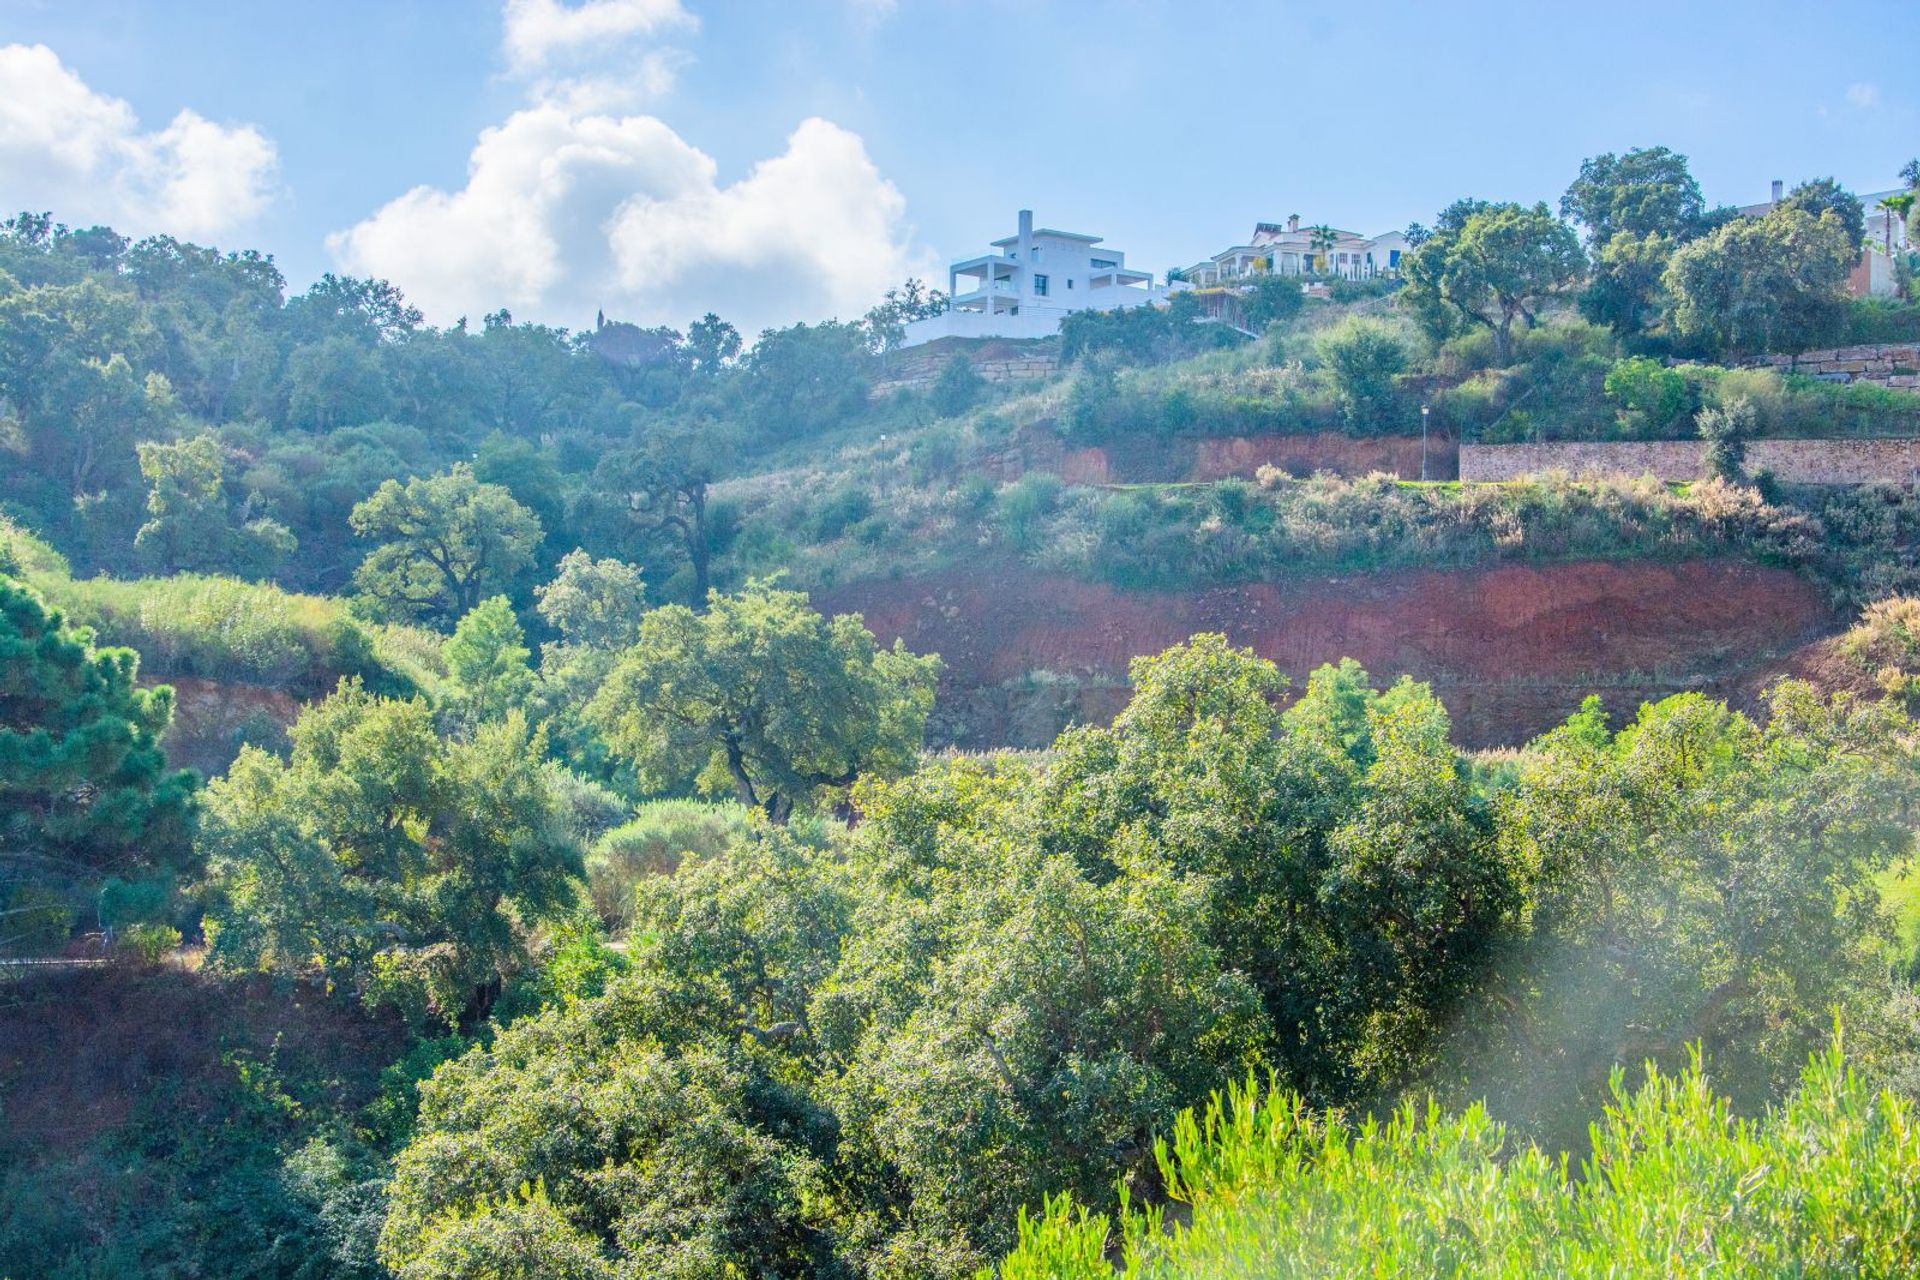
594, 909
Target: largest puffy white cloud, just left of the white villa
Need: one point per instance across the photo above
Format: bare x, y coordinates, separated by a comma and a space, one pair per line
569, 214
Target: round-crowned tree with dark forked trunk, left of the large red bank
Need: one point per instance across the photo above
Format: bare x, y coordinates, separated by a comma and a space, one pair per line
765, 698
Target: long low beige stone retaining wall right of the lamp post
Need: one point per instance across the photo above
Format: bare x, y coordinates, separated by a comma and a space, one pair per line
1792, 462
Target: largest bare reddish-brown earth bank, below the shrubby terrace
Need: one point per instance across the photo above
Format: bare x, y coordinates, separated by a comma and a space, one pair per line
1512, 650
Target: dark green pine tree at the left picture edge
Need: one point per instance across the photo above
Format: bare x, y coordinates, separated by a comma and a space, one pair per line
85, 792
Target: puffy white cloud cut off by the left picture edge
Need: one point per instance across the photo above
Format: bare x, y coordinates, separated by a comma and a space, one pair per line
84, 156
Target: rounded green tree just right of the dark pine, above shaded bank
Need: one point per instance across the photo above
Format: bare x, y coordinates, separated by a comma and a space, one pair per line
385, 857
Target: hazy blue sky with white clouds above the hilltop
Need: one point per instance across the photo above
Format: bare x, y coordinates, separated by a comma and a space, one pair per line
788, 160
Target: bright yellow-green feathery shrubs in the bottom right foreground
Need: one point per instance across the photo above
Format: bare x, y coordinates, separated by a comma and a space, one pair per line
1815, 1187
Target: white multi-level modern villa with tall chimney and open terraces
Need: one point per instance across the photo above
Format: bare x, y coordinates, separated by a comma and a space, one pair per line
1030, 281
